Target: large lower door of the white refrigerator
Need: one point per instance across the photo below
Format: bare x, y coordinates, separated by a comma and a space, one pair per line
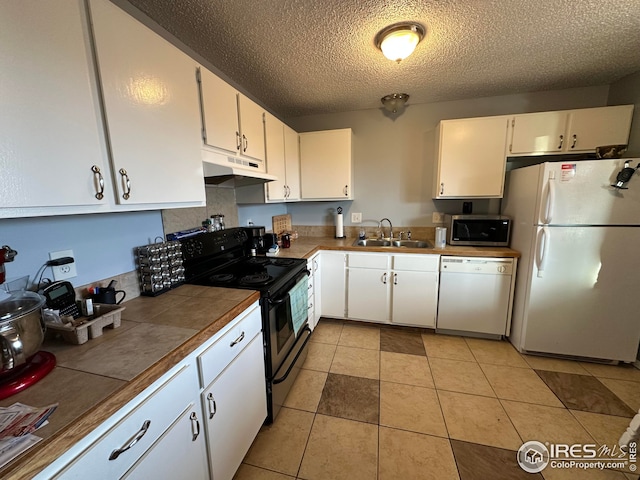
585, 302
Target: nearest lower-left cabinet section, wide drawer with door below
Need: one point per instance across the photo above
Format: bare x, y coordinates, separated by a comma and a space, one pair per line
163, 418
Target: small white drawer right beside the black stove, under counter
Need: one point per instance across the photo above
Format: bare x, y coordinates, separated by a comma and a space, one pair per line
215, 359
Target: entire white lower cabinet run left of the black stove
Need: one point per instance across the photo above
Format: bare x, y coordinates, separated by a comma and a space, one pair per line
197, 421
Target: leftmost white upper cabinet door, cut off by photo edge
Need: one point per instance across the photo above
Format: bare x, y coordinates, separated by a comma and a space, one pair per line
51, 134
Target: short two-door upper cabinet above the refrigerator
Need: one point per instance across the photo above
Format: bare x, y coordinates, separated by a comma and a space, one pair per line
570, 131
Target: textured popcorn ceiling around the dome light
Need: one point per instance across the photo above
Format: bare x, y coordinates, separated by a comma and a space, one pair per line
302, 57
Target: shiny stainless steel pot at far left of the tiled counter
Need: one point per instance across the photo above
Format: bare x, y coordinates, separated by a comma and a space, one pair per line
21, 328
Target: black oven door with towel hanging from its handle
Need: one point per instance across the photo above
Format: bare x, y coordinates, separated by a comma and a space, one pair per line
282, 328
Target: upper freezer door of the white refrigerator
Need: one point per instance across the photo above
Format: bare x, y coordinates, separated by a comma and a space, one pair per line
580, 193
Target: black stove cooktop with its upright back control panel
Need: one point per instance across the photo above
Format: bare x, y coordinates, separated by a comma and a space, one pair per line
219, 259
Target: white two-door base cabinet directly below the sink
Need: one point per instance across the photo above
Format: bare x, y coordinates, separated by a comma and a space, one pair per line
388, 288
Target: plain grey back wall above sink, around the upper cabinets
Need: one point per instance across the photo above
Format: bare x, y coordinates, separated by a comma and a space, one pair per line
394, 156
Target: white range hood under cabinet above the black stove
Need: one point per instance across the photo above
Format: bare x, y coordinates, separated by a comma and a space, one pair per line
227, 170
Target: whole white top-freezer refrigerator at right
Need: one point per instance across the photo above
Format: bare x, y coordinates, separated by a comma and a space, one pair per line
578, 281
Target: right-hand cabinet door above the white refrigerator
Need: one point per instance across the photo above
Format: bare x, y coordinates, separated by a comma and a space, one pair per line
593, 127
